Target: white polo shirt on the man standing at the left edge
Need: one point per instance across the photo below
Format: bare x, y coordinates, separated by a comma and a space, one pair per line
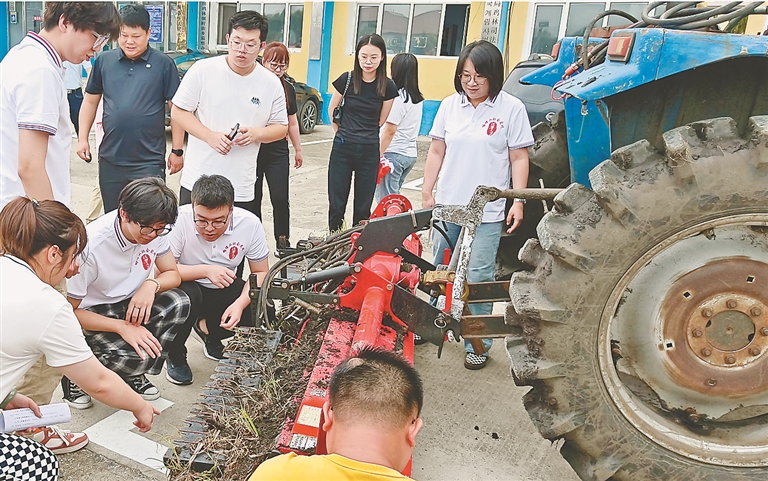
33, 97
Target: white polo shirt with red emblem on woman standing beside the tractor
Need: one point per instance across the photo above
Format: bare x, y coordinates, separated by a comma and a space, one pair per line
477, 145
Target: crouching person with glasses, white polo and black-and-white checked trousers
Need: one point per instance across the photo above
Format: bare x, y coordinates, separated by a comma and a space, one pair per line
128, 317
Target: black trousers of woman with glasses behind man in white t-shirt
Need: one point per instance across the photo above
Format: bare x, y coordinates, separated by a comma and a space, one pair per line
274, 164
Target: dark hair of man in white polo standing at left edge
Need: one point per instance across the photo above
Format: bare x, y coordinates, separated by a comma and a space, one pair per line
101, 17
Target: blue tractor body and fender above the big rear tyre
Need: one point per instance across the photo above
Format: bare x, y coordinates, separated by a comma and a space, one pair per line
671, 78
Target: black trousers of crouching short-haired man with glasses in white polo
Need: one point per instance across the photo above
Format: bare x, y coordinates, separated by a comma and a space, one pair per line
208, 304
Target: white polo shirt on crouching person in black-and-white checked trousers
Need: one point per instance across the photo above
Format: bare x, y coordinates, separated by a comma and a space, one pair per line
112, 268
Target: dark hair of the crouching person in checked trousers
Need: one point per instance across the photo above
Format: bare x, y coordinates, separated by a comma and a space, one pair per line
149, 201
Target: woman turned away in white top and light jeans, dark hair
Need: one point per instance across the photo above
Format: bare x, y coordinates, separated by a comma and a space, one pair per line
398, 135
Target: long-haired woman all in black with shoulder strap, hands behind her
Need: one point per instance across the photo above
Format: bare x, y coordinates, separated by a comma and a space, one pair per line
365, 108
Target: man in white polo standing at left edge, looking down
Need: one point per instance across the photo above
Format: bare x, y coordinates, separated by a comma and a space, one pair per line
35, 135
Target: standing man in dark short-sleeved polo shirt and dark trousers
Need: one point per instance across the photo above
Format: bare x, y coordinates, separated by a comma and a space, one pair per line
135, 81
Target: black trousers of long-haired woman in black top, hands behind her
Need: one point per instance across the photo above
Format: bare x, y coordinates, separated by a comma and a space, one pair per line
346, 158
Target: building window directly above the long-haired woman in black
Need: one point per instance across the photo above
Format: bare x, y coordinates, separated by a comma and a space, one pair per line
421, 29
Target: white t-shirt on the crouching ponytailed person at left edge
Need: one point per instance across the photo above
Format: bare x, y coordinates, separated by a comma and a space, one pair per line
36, 320
